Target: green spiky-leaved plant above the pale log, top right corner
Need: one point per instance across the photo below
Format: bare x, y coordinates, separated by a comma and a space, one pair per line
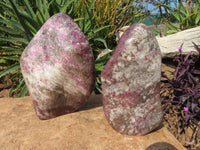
187, 15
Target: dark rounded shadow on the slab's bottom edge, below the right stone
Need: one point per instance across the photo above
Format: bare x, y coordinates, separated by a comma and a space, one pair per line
161, 146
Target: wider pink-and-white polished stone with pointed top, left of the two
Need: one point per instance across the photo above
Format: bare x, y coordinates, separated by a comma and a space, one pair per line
58, 67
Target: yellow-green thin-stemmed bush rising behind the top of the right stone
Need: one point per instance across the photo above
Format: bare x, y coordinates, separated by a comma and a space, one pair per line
116, 13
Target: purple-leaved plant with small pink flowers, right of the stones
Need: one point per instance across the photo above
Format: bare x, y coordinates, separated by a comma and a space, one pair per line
183, 90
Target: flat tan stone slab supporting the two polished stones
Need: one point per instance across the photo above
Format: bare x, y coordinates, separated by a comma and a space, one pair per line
85, 129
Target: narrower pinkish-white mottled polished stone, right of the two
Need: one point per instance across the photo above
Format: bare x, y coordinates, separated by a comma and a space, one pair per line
130, 83
